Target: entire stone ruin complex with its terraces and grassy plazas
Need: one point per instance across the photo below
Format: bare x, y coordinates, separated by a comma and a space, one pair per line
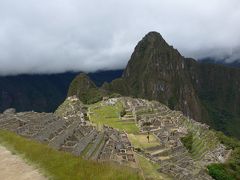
144, 135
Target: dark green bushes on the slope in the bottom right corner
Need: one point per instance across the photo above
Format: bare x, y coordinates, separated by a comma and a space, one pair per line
230, 169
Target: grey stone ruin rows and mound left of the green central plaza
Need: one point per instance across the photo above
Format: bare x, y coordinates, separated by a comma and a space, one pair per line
67, 130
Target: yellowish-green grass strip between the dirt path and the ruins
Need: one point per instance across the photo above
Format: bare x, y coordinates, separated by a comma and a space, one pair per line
60, 165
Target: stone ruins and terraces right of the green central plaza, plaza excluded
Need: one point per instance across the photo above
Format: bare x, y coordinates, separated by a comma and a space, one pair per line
169, 127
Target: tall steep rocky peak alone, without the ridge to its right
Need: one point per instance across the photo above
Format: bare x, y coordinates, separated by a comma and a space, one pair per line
158, 71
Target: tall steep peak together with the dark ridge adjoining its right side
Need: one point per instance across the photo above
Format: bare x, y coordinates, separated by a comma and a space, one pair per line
206, 92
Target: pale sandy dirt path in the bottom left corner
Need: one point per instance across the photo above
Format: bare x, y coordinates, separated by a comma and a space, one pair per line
13, 167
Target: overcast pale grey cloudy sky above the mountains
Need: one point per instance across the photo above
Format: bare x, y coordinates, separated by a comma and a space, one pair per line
49, 36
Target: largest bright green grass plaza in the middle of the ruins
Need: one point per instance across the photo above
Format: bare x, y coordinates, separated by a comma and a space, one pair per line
110, 115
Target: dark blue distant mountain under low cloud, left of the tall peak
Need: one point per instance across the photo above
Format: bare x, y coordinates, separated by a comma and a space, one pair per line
42, 93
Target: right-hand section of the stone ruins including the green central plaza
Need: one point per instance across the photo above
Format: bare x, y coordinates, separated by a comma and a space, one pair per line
165, 129
